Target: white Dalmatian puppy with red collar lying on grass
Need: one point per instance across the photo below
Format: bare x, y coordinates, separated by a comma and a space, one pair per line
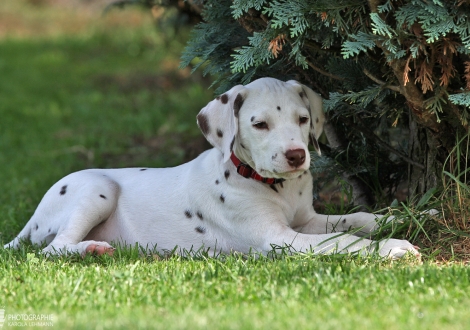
250, 193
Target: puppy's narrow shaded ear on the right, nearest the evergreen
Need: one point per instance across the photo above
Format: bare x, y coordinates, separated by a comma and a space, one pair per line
314, 103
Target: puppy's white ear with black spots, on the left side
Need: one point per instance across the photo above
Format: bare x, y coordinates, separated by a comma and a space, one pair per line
218, 120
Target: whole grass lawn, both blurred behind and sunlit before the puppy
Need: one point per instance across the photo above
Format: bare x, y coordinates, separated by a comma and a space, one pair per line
78, 90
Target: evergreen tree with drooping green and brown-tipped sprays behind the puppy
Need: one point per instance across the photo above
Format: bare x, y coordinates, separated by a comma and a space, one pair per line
379, 65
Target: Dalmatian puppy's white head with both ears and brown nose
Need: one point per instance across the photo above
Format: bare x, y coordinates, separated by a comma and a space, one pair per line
267, 123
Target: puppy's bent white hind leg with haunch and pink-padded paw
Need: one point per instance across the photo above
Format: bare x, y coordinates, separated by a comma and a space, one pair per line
69, 210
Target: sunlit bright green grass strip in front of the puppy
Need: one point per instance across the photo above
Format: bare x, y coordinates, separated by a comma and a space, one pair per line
303, 292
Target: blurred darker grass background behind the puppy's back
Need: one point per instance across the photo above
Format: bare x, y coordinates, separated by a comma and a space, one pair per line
83, 87
